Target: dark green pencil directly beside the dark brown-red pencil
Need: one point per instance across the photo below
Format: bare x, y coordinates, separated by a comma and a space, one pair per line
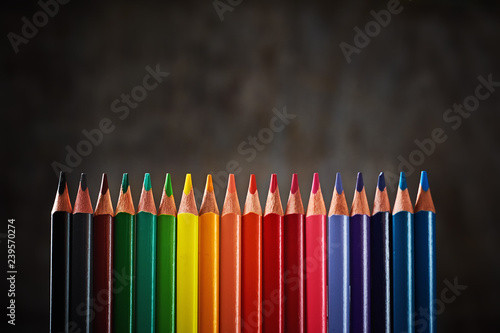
124, 261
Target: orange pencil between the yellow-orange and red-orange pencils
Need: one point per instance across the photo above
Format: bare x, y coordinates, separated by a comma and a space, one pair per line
230, 261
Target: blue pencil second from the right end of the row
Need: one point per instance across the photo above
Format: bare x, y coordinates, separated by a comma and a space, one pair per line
402, 260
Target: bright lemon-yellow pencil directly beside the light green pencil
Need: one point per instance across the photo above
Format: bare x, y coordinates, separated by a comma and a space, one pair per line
187, 254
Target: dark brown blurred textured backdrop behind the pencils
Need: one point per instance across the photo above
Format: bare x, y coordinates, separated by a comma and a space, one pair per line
226, 76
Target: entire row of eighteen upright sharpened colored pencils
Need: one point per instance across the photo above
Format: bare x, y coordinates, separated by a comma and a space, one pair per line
297, 271
